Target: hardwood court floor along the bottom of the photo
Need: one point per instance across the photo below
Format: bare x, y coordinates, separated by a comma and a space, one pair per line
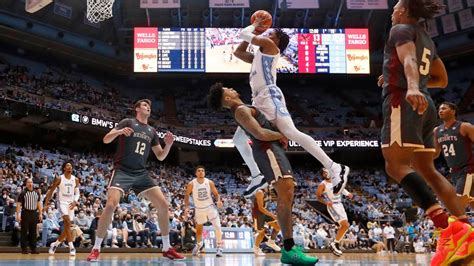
115, 259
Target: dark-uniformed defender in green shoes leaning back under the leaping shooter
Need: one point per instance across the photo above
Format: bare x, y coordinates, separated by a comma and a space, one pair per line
268, 151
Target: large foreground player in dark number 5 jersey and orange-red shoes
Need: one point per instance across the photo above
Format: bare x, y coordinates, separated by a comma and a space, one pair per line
411, 66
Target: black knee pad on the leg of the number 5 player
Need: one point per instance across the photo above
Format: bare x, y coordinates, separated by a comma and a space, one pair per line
418, 190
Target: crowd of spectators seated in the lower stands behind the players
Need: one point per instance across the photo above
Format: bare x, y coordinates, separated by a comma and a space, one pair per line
375, 205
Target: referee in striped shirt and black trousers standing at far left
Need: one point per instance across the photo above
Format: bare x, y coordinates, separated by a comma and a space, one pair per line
29, 204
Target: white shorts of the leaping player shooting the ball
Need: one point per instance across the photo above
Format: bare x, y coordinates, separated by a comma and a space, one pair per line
271, 102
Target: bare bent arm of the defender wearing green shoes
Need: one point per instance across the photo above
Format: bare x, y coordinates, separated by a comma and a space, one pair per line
244, 117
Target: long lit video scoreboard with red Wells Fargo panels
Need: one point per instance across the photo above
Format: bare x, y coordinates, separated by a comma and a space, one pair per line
210, 50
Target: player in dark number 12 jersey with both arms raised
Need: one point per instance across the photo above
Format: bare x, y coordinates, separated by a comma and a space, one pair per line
135, 140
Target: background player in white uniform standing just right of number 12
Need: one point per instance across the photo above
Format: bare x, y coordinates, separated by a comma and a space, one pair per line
201, 189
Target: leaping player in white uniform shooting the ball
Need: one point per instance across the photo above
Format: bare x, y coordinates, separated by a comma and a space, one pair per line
268, 99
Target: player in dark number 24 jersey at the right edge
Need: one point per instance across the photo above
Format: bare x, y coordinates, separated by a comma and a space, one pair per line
454, 140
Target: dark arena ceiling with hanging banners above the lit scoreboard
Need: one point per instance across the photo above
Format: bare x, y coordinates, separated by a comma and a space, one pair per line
69, 16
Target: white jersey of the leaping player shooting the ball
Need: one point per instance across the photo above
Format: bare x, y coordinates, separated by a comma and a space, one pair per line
263, 71
